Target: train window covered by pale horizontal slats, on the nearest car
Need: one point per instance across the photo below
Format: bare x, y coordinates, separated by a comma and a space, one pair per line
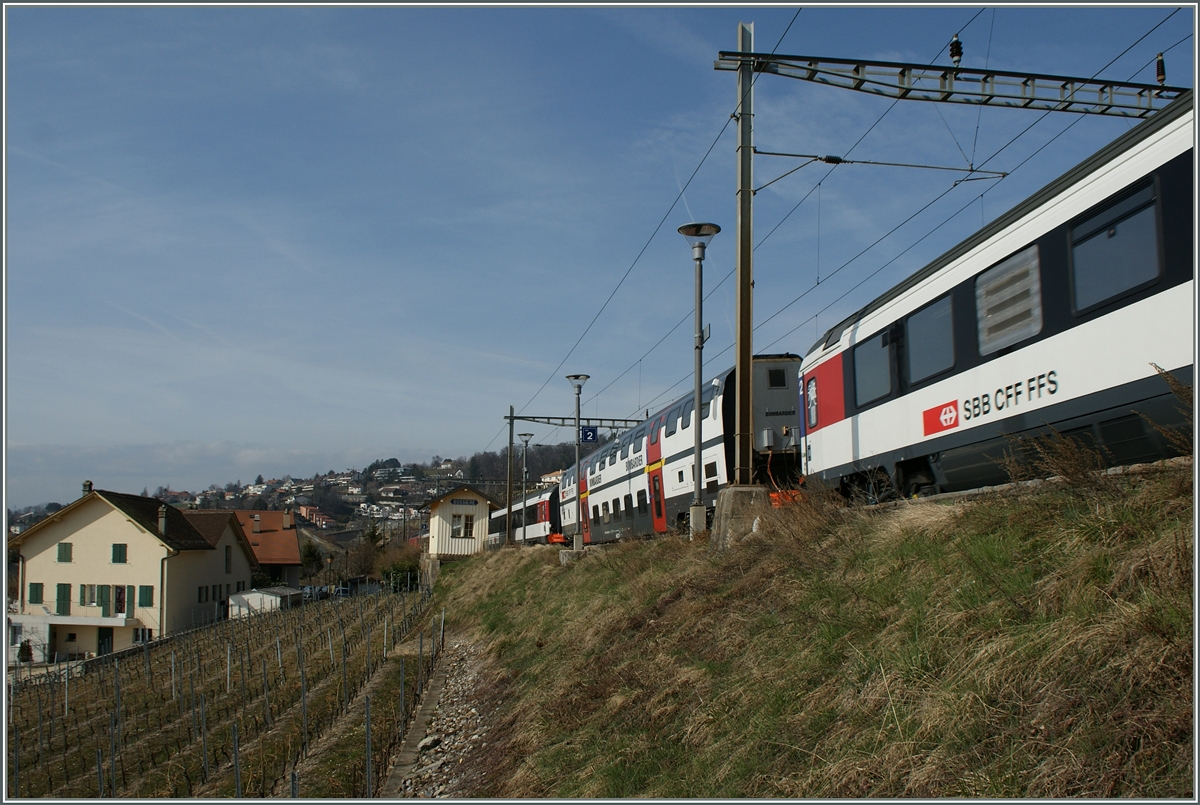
1009, 302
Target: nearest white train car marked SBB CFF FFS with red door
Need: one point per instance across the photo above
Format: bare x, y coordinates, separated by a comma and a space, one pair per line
1051, 317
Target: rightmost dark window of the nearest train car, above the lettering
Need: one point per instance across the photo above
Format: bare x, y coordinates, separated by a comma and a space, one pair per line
1115, 251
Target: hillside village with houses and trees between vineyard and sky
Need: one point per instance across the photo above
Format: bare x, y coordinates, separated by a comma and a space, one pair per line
79, 572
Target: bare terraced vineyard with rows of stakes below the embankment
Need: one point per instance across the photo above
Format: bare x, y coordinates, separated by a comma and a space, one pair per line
308, 702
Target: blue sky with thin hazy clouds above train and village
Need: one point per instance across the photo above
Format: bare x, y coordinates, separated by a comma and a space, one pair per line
277, 241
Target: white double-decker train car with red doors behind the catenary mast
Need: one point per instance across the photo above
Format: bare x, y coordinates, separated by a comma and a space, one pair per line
643, 483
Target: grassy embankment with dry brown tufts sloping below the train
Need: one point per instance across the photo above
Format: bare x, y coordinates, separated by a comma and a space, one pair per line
1034, 645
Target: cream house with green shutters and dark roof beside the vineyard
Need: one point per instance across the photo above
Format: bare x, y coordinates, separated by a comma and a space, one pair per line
112, 570
